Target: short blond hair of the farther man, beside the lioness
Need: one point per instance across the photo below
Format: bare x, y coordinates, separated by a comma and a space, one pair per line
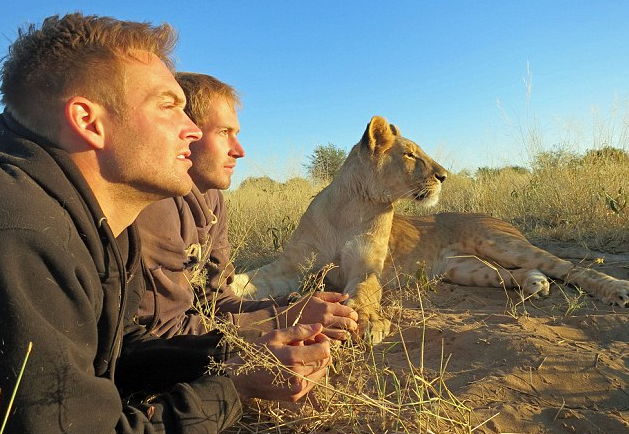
202, 91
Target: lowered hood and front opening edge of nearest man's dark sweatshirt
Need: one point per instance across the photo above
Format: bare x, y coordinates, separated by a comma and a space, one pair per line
55, 172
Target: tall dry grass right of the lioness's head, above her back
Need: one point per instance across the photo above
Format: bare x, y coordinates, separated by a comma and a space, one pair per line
564, 196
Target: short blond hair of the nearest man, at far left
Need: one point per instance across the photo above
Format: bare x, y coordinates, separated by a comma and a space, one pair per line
74, 55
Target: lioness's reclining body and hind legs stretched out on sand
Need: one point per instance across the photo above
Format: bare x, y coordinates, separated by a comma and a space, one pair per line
478, 250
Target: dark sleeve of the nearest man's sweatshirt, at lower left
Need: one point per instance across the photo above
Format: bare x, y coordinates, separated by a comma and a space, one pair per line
51, 296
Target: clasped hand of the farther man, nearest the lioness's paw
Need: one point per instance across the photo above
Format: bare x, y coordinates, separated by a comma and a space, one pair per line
324, 308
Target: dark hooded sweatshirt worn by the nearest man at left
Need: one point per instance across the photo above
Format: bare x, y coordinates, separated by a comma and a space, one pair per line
70, 288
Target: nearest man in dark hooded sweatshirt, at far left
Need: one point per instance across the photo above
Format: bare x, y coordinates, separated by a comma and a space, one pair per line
93, 131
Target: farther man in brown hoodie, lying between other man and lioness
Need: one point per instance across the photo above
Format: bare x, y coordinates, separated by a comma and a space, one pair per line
184, 237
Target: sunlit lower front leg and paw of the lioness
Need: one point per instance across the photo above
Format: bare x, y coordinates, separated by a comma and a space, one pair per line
365, 299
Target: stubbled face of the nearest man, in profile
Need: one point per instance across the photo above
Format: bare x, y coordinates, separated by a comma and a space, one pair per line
149, 148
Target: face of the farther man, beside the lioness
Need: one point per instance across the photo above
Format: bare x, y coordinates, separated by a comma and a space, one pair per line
214, 156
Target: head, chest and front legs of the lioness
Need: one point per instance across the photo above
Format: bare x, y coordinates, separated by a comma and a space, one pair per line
348, 223
